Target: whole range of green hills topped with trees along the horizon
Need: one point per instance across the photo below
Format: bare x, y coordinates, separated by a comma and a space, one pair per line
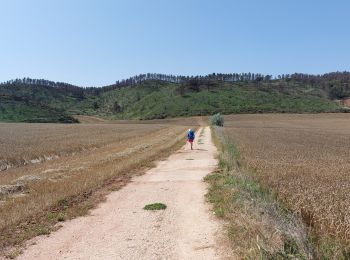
151, 97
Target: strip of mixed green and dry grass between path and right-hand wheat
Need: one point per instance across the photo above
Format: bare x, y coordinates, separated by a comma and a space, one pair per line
257, 225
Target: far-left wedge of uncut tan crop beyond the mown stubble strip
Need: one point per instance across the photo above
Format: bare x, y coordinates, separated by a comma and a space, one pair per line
29, 143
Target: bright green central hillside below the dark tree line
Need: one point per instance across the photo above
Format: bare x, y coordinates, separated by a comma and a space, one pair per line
163, 100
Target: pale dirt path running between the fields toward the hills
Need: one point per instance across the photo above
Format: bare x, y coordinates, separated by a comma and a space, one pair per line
121, 229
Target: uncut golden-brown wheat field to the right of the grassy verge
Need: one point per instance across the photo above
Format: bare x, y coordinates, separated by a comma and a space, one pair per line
305, 159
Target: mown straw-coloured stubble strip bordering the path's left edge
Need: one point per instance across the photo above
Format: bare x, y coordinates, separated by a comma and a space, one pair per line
30, 194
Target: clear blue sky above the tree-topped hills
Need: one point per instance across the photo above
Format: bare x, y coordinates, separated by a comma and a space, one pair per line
93, 43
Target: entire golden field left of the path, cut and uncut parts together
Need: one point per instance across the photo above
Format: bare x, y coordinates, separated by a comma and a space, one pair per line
55, 172
